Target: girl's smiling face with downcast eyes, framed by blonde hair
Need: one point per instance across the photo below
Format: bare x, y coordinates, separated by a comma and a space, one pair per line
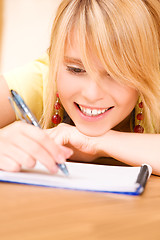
95, 106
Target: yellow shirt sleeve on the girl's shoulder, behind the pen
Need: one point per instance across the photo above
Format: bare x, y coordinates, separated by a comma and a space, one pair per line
28, 81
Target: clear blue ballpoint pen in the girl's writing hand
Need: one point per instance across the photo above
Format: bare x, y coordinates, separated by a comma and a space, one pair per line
31, 119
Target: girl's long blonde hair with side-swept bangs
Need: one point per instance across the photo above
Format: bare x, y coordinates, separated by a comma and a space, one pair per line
124, 34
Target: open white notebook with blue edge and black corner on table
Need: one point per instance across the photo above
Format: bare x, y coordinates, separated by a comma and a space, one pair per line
89, 177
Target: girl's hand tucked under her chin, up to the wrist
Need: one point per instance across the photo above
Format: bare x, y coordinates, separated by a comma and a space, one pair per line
84, 147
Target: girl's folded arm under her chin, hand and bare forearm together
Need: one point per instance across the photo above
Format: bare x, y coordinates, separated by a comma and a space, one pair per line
131, 148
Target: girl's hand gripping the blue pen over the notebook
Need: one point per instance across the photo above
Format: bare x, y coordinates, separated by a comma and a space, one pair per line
22, 144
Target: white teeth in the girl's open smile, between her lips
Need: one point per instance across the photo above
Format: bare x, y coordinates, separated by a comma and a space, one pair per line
93, 112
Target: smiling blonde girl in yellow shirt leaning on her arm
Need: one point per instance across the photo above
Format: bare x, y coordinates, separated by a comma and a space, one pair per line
97, 89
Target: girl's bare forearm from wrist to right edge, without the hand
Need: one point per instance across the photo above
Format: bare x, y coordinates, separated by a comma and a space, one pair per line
132, 148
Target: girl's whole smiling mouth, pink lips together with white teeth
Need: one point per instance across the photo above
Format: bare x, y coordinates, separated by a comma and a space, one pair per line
92, 113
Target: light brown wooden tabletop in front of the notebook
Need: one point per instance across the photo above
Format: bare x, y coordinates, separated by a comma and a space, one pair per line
39, 213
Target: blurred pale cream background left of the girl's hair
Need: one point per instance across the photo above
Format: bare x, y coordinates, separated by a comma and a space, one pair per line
26, 30
